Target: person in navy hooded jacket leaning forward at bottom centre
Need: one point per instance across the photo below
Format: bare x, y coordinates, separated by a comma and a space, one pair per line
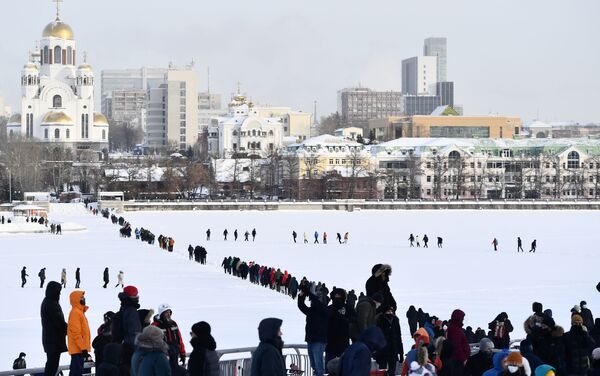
356, 361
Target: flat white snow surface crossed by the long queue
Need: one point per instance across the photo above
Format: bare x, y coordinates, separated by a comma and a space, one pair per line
466, 273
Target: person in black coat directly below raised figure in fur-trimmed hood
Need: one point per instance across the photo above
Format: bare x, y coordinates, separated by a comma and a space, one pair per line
388, 357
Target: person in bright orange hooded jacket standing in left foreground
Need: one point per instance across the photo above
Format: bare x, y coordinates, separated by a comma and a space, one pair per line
78, 333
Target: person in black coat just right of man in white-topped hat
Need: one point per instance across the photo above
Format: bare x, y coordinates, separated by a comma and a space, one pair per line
204, 360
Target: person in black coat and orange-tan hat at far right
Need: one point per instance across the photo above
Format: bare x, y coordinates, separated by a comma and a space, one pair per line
578, 347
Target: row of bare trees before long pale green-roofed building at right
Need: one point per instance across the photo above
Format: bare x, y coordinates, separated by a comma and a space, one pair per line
458, 177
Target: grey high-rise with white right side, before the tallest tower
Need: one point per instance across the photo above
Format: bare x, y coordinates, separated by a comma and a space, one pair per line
419, 75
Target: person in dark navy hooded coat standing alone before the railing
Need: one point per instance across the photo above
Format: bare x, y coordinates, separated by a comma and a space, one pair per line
267, 359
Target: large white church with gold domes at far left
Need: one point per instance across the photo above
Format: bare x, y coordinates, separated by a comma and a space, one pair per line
57, 96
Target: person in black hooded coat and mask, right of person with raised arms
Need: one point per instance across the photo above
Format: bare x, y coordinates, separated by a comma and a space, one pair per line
338, 329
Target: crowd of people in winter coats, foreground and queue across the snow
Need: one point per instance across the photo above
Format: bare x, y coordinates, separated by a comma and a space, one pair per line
344, 334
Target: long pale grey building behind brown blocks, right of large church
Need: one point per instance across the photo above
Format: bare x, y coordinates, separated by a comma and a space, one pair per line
128, 79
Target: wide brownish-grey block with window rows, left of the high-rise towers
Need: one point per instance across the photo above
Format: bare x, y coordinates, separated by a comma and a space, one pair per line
357, 106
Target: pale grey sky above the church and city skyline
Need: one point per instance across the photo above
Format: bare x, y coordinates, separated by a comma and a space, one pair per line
512, 57
